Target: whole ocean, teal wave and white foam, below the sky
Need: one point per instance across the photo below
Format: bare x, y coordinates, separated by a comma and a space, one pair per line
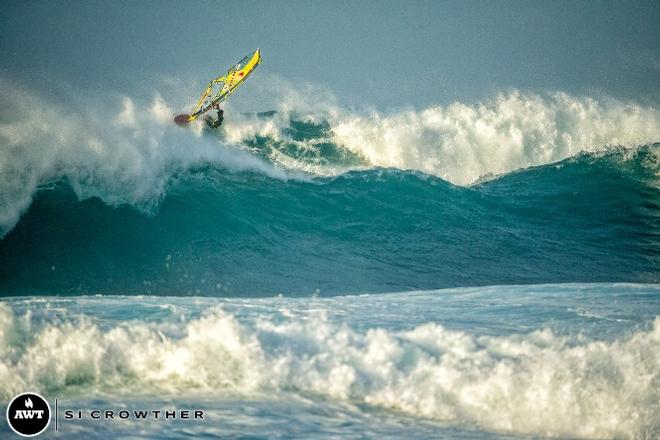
481, 270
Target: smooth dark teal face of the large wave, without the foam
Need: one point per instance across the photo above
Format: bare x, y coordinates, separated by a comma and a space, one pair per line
589, 218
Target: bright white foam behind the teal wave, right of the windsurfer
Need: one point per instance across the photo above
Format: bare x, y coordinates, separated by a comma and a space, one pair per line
461, 143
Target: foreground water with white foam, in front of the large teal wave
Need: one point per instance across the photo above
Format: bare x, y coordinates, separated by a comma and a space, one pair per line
542, 361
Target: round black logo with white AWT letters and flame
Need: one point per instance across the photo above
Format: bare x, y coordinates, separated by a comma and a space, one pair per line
28, 414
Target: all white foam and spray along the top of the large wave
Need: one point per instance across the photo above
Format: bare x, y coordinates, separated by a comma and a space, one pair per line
125, 149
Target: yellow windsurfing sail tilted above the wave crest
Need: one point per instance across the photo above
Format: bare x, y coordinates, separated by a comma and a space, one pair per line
220, 88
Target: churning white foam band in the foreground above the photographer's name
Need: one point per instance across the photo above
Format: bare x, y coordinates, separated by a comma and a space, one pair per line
536, 383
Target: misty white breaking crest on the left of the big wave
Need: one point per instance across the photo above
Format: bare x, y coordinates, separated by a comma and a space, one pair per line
122, 150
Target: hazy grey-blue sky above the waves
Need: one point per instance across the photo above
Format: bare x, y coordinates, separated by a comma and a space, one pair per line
385, 53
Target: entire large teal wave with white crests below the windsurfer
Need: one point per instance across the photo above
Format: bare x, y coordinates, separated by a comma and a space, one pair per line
298, 201
